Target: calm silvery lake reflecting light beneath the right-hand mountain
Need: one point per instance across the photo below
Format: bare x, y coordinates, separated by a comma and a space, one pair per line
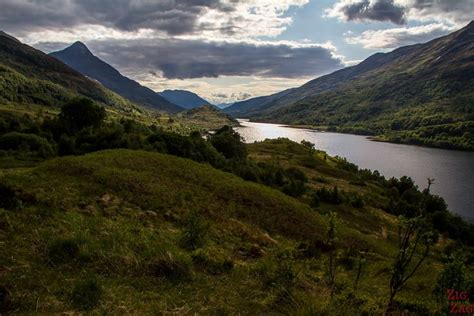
453, 171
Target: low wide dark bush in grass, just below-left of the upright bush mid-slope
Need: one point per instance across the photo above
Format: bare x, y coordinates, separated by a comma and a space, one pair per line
170, 266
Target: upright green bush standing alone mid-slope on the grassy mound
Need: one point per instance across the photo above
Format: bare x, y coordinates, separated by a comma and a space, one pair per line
194, 231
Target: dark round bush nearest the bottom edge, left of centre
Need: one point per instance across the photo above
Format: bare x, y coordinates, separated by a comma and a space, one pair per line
86, 294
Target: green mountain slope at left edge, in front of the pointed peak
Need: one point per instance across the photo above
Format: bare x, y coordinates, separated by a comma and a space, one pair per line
30, 76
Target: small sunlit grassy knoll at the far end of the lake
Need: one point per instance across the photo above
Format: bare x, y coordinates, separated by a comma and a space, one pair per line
207, 117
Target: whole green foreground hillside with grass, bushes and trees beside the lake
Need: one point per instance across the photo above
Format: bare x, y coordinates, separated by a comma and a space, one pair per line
125, 217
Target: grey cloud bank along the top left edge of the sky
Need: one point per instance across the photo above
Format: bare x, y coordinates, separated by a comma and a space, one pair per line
171, 16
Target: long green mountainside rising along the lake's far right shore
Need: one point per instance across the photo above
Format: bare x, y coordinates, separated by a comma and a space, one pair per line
419, 94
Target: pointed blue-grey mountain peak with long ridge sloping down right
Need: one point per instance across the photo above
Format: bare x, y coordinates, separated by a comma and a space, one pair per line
80, 58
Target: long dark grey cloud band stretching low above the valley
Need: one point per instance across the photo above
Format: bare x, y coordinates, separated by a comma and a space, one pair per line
182, 59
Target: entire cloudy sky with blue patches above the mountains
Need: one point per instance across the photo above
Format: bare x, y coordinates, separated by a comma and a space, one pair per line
229, 50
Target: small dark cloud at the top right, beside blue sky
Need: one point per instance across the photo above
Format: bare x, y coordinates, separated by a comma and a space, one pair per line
381, 10
